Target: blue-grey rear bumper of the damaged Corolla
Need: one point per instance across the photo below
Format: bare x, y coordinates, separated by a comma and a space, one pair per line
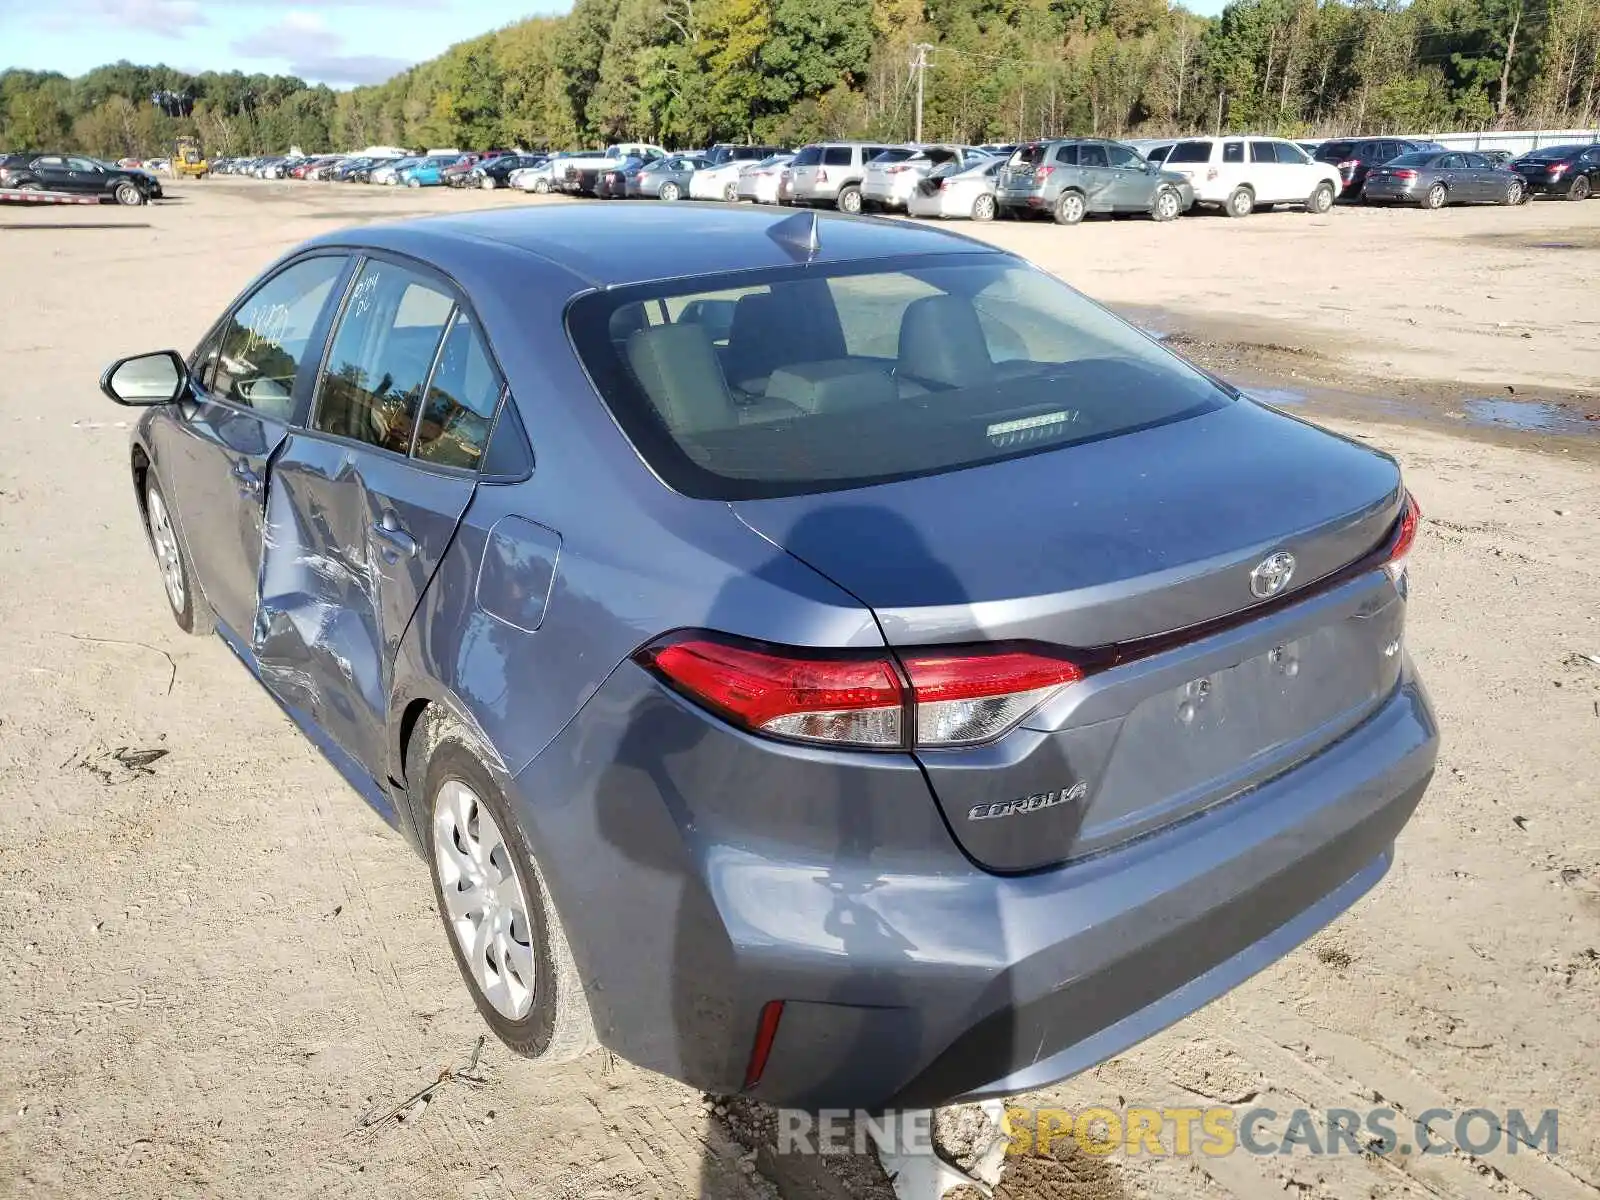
702, 874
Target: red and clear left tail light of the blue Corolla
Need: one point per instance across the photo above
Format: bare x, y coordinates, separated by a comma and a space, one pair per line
926, 698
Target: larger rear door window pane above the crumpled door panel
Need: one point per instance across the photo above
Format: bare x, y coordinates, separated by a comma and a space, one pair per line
383, 351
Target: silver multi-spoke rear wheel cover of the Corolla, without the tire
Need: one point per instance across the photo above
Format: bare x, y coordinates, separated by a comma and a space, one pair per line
486, 905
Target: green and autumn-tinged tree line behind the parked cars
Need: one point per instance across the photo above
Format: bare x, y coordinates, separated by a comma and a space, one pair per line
690, 73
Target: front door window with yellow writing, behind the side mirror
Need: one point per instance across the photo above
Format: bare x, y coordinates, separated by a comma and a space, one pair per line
266, 338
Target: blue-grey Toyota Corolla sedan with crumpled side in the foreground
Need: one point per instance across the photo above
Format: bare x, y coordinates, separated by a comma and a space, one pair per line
817, 657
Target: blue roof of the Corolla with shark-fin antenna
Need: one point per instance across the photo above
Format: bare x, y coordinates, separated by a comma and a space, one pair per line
610, 246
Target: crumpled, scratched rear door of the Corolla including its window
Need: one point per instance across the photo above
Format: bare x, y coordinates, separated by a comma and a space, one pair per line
356, 526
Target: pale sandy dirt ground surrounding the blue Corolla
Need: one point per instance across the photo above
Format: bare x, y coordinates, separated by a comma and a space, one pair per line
215, 961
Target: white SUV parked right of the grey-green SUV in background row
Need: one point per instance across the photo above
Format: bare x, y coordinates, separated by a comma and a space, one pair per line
1241, 175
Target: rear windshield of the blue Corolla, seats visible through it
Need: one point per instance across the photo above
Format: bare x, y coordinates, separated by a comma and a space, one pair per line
817, 378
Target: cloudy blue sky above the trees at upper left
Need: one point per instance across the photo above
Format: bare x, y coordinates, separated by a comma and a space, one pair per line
337, 42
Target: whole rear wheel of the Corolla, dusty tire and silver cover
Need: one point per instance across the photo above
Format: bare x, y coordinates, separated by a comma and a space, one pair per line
463, 814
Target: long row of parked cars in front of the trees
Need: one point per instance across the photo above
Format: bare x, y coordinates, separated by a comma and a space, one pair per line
1060, 178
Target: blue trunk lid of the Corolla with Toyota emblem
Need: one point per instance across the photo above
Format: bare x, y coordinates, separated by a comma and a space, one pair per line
1148, 543
